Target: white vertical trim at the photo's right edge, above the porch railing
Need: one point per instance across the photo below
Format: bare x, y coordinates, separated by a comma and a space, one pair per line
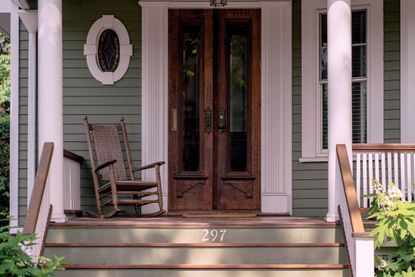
407, 71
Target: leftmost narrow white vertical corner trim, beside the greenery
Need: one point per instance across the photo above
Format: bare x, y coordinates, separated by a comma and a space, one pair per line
14, 120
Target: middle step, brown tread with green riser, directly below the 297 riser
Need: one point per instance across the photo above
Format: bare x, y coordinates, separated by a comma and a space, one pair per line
199, 253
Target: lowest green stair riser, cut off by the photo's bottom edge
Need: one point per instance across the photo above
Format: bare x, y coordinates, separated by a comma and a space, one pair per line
205, 273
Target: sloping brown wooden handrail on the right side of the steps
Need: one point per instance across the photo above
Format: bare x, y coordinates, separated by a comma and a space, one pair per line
350, 191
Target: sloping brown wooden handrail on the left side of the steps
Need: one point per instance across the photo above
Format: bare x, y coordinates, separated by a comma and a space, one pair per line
38, 189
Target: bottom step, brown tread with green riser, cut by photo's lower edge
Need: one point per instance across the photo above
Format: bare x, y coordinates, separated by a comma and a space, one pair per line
228, 270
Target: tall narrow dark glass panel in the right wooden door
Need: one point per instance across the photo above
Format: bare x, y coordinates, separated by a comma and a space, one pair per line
238, 76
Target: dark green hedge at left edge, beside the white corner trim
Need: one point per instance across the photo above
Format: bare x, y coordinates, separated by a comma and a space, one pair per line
4, 168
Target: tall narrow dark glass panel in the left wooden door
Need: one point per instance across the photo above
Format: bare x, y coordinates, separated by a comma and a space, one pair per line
190, 98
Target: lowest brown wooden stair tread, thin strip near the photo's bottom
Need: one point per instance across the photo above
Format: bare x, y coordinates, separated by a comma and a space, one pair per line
207, 266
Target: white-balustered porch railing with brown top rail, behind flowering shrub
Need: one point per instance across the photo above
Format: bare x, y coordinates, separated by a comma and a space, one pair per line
386, 163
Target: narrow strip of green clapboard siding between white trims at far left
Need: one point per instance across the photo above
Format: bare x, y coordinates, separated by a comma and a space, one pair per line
24, 37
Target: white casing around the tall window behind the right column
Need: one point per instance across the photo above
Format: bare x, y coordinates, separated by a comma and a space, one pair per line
311, 100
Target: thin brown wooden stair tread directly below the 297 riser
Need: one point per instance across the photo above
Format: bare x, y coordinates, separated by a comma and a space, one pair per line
192, 245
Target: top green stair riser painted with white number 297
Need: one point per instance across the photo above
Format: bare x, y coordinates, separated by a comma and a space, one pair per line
194, 235
